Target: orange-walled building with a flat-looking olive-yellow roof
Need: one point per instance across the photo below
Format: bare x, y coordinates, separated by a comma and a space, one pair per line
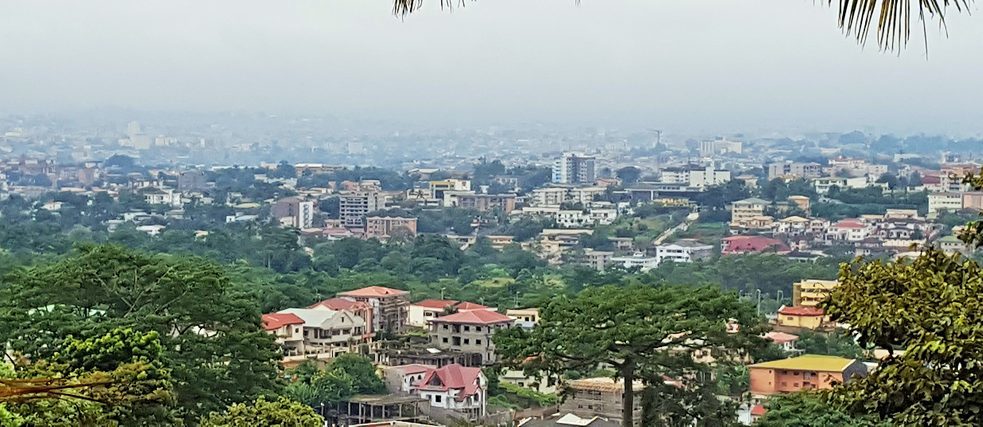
806, 372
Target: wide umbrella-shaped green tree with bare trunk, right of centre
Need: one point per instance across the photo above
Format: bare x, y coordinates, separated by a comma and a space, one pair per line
644, 332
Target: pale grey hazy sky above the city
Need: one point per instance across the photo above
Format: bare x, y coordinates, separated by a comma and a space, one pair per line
686, 65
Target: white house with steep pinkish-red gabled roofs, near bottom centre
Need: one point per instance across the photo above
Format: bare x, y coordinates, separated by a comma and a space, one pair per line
456, 388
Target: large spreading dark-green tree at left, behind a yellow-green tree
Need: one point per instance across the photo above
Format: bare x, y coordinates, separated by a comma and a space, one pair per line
212, 342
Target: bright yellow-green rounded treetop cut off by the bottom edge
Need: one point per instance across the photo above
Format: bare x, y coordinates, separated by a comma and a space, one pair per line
276, 413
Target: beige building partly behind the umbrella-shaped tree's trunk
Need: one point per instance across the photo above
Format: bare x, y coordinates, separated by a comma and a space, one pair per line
600, 397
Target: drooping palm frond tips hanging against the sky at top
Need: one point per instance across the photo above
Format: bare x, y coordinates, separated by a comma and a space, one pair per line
893, 18
